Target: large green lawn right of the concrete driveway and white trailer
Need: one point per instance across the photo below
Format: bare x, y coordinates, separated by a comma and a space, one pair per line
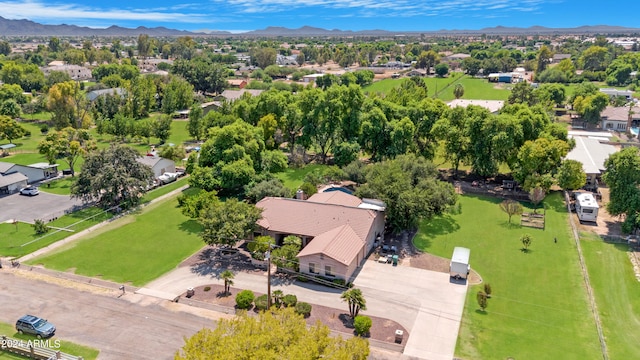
539, 307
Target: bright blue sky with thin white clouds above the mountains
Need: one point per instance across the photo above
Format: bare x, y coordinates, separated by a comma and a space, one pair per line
393, 15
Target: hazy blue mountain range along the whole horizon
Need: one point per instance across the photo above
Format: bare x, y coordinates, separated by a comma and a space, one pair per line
29, 28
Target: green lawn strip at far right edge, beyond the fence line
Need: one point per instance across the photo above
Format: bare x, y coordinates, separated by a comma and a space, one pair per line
617, 294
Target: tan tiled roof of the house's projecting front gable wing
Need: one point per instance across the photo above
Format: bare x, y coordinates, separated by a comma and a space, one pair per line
341, 244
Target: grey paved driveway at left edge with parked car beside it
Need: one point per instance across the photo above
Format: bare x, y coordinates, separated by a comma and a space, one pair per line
44, 206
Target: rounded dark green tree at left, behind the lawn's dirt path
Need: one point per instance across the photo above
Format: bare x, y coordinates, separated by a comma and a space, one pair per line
112, 177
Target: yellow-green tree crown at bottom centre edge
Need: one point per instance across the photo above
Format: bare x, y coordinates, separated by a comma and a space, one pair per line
274, 334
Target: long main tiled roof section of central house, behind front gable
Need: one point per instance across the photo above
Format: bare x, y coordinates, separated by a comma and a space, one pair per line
306, 218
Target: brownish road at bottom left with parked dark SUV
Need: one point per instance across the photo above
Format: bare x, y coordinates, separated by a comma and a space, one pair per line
130, 327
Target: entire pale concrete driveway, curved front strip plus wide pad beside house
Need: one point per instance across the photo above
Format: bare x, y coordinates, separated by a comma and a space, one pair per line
425, 302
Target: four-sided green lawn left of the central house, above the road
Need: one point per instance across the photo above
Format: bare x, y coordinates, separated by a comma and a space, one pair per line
136, 248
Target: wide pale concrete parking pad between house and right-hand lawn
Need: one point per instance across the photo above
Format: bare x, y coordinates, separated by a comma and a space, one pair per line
435, 303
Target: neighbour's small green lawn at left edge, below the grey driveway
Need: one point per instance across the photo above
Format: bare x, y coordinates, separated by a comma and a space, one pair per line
22, 239
